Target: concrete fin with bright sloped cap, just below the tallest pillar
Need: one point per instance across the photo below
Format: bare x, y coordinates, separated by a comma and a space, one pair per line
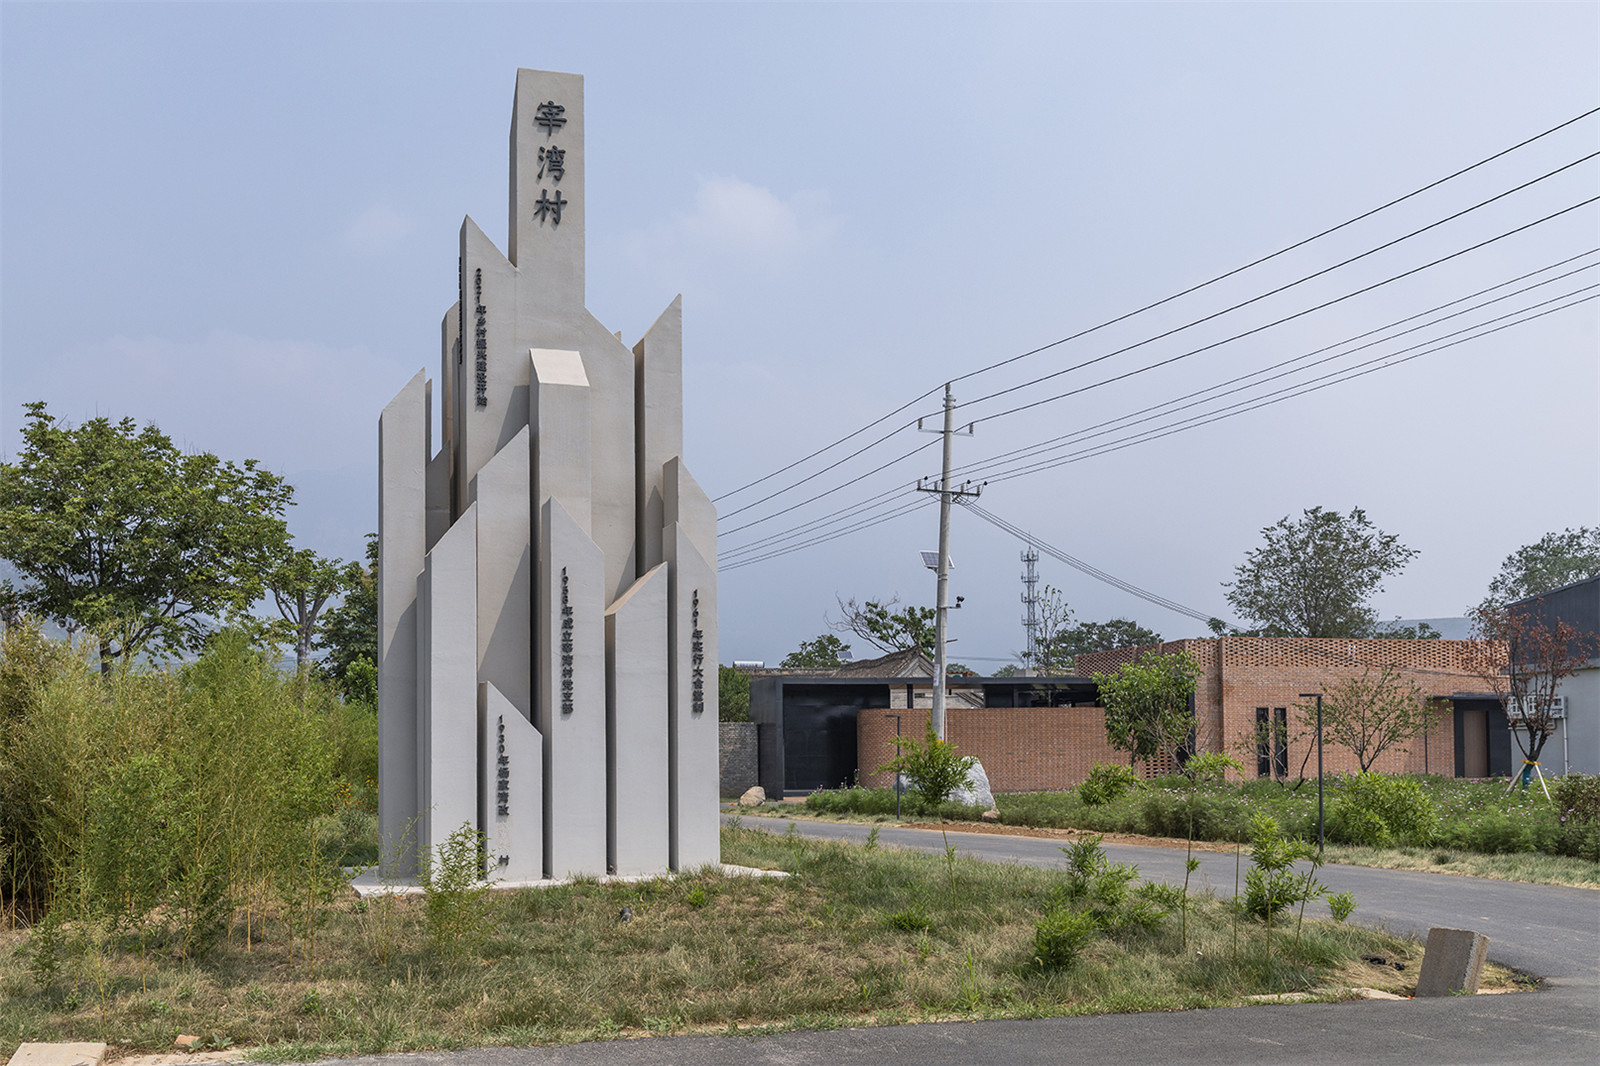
559, 412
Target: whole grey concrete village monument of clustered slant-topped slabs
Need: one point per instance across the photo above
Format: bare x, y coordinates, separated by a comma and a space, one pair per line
548, 585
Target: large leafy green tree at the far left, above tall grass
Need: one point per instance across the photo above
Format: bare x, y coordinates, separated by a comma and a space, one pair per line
116, 531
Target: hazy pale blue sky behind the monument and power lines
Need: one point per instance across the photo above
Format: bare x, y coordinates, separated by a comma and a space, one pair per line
239, 222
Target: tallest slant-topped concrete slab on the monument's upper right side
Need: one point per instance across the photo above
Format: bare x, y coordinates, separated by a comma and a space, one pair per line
658, 431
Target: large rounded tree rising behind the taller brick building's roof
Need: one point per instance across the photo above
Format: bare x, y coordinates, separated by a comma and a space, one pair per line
1314, 579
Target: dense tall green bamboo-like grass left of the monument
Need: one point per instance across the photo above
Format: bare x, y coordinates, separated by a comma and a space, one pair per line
178, 804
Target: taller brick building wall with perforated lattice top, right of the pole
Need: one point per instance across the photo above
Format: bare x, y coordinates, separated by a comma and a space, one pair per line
1241, 675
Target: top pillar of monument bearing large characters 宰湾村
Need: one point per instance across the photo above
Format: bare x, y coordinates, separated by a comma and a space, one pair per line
546, 233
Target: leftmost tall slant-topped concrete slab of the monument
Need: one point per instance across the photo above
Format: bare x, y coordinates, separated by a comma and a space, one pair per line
402, 499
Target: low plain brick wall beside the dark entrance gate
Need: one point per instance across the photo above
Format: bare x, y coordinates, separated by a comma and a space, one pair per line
1023, 750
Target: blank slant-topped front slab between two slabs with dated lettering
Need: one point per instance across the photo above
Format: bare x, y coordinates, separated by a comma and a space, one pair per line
636, 702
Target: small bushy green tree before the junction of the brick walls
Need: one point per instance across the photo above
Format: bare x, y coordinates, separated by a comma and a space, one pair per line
1146, 703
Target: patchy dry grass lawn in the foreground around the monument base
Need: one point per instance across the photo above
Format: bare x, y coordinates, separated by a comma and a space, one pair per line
855, 937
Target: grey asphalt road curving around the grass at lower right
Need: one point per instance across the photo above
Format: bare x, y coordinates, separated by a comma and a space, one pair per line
1548, 931
